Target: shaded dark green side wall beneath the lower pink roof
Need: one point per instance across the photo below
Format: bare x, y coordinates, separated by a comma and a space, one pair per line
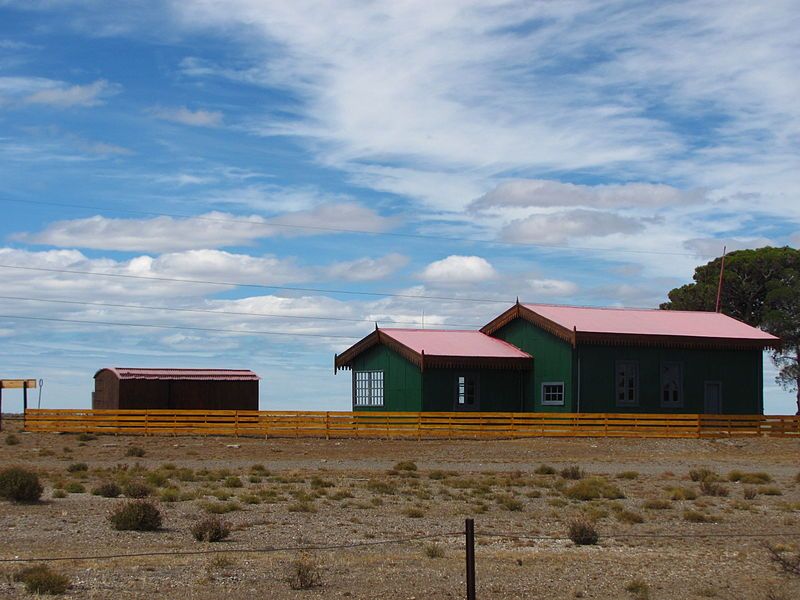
498, 390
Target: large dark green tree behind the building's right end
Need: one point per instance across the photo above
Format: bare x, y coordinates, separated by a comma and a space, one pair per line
760, 287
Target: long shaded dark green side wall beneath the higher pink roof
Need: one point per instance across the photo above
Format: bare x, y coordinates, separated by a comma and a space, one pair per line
740, 372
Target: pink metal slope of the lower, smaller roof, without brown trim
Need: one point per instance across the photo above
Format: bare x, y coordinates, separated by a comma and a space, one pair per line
448, 342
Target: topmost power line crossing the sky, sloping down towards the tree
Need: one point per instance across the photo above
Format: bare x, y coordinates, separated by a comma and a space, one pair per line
420, 236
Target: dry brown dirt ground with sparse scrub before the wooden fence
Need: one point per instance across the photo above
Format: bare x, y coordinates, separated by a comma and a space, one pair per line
306, 492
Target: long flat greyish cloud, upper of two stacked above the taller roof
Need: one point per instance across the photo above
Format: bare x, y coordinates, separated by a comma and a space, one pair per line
526, 193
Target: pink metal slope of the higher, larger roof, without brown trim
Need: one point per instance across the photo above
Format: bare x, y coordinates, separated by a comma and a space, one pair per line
632, 321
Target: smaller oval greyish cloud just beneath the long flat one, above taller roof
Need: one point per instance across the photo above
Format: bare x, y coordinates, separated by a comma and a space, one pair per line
559, 227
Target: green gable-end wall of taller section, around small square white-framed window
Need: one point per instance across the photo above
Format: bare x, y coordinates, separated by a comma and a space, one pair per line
552, 361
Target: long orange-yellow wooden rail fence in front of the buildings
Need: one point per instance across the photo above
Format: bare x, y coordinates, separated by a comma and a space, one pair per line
407, 425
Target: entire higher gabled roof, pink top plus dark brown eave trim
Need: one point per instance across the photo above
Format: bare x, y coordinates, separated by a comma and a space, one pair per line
577, 324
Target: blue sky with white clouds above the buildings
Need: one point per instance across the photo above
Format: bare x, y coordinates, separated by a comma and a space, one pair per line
256, 184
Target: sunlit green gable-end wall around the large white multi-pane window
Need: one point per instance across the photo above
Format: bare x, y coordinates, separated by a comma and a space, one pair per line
402, 380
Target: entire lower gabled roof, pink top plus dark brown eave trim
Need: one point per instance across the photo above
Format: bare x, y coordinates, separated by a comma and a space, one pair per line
441, 348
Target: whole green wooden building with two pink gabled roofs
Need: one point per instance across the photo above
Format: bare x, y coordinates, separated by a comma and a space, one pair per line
537, 357
